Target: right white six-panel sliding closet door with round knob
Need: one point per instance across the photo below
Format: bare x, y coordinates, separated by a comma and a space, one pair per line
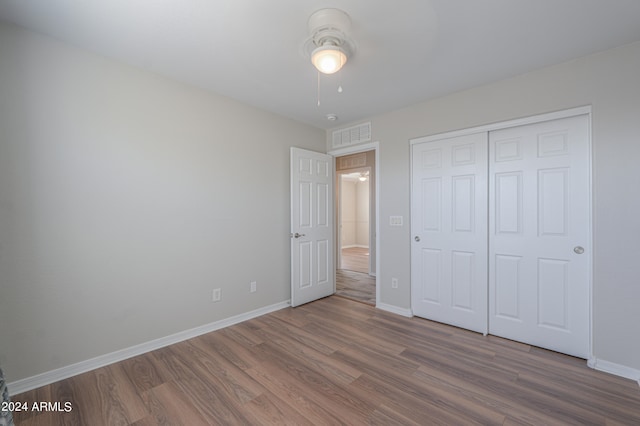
539, 236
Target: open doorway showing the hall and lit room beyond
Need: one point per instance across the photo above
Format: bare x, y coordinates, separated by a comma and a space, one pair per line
356, 218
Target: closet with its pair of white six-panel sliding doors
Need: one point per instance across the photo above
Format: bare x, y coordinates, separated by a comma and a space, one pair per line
500, 228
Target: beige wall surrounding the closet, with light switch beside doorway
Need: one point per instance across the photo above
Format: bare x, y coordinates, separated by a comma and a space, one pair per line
610, 82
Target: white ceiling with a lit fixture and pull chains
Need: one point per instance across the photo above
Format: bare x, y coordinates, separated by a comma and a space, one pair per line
408, 51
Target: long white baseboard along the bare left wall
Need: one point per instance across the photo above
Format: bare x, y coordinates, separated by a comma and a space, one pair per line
62, 373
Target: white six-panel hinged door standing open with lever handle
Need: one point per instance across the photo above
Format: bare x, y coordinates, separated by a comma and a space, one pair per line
312, 245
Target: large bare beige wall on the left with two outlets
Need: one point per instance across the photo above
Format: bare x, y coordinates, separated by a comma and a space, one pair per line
125, 198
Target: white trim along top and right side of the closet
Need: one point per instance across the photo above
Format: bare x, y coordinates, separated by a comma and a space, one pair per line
584, 110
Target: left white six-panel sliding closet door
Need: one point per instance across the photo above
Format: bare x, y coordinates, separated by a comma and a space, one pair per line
449, 231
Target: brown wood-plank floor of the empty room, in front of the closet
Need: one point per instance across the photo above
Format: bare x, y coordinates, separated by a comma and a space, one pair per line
336, 361
